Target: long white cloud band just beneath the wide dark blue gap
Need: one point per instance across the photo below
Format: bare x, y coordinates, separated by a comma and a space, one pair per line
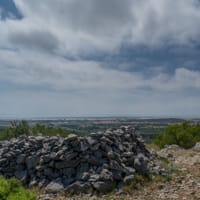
57, 73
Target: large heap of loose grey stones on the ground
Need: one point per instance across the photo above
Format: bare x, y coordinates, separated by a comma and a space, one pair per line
102, 161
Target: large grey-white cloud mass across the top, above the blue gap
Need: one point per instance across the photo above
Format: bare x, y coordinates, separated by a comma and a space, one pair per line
81, 27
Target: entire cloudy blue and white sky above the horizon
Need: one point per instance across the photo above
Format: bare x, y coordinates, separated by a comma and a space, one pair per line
70, 58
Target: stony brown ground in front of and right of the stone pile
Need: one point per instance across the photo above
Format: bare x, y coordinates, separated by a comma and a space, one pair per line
183, 182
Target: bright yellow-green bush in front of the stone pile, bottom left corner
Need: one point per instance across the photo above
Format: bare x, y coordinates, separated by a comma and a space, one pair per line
12, 189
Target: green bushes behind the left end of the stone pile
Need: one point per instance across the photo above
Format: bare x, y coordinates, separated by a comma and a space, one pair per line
22, 128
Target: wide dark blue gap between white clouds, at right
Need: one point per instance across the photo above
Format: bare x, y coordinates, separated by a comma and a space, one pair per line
140, 58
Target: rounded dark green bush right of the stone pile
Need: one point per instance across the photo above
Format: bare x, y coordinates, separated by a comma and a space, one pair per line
184, 135
